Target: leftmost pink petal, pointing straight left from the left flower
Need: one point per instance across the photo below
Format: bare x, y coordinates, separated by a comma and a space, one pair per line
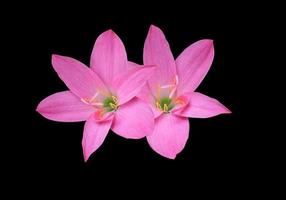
64, 107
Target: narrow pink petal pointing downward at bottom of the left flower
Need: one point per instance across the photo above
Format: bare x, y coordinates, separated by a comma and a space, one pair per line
93, 135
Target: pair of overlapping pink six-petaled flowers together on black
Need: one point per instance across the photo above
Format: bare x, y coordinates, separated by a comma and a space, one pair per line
134, 101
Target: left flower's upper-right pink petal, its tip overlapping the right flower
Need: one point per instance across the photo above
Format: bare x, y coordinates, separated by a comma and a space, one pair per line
130, 83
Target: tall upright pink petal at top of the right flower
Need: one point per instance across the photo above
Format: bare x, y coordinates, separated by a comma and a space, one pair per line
157, 52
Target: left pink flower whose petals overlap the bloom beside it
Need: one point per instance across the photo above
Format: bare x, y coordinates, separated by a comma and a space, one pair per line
103, 95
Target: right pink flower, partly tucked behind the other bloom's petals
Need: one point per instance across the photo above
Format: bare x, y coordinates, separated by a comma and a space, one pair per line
170, 91
